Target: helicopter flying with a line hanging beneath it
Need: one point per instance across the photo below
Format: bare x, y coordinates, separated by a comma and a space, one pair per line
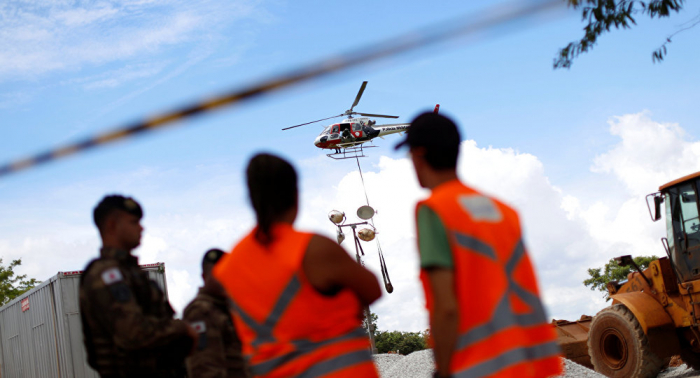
347, 137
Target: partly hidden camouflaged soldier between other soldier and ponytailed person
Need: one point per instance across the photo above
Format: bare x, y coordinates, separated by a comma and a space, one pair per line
218, 353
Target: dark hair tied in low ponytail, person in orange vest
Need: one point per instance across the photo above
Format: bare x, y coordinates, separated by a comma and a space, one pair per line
272, 187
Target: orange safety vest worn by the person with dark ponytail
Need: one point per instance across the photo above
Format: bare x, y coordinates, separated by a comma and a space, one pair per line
287, 328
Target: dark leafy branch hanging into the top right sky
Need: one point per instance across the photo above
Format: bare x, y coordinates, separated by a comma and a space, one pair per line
601, 15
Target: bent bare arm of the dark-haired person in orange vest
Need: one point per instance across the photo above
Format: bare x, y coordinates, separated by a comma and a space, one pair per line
329, 268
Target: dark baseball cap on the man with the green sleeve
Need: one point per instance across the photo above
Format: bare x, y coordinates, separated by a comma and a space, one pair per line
433, 131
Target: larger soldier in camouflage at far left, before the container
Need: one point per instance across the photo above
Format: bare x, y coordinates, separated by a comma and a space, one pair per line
128, 326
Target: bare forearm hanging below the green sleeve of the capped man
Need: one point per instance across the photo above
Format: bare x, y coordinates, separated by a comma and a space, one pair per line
444, 317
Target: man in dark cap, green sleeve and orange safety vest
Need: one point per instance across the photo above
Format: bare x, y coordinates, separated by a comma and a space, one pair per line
486, 316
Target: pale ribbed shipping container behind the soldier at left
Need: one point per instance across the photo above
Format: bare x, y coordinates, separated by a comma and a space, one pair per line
41, 334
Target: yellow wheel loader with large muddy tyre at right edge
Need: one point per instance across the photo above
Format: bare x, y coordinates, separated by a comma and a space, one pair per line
655, 313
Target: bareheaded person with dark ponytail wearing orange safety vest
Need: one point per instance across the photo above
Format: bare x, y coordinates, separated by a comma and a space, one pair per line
297, 297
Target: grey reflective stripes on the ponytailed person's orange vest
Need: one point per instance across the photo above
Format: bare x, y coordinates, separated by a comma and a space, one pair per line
264, 330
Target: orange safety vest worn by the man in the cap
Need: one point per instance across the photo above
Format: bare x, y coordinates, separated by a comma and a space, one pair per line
503, 330
